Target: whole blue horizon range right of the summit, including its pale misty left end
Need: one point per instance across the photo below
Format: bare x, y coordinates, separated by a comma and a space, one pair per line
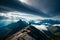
47, 21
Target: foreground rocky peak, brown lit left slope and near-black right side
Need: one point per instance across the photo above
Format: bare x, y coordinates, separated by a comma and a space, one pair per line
28, 33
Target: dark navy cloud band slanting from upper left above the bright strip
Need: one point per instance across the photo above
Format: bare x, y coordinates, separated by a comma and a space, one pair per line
18, 6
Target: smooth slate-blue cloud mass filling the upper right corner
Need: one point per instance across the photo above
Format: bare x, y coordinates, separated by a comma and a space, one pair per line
50, 7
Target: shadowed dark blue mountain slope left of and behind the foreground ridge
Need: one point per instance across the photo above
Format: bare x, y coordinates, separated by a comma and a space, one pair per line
12, 28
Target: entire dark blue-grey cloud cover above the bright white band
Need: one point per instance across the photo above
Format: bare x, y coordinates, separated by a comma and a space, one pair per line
41, 8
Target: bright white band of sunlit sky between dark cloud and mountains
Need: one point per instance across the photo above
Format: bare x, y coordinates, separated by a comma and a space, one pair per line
18, 15
